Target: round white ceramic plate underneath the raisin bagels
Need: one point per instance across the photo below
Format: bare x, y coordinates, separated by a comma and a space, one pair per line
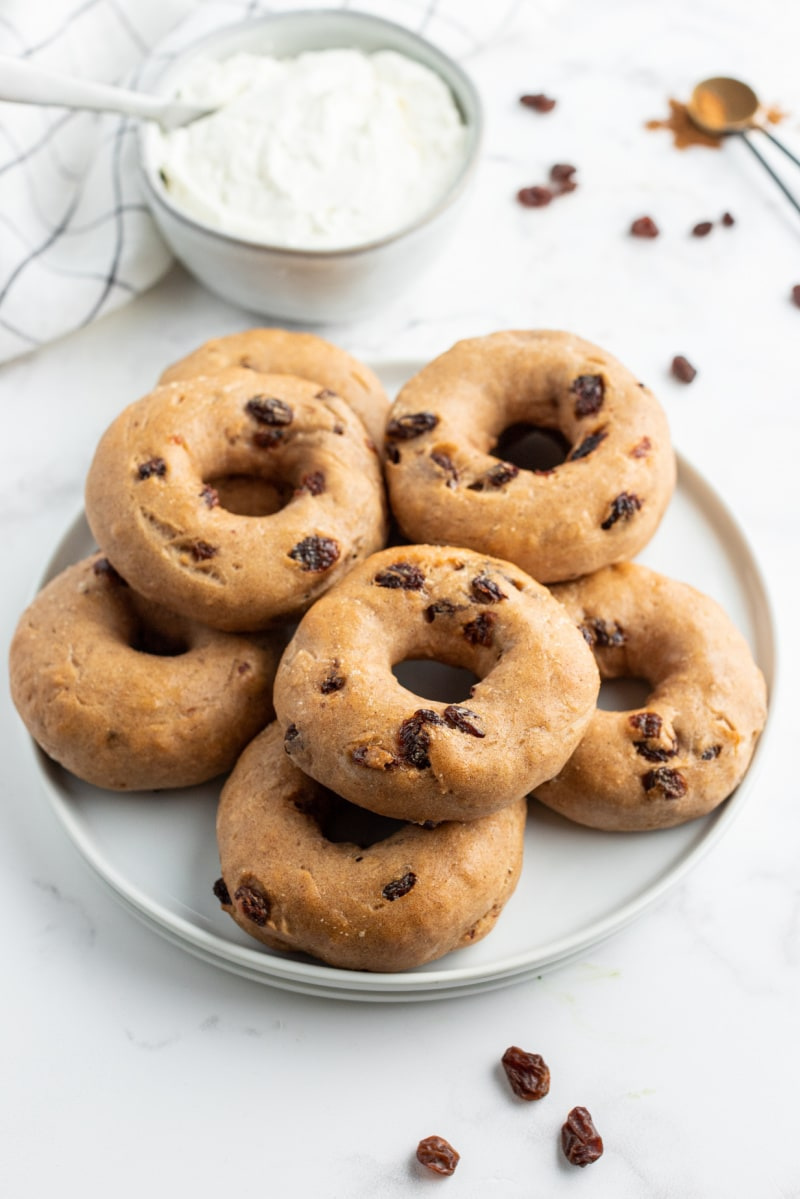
158, 852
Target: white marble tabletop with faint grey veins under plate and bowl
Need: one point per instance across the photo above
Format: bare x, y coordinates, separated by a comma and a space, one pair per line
131, 1069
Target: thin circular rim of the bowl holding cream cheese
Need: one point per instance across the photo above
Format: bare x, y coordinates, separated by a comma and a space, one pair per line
154, 194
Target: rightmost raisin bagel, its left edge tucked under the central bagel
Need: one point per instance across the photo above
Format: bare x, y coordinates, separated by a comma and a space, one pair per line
690, 745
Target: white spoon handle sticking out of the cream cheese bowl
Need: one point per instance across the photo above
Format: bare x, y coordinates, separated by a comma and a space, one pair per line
26, 85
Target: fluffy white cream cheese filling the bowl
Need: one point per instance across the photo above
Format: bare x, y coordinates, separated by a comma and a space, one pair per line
327, 150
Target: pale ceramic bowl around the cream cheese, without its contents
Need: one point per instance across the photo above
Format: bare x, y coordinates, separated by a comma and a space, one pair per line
312, 286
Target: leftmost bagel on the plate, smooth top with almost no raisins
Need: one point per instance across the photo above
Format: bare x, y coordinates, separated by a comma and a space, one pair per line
128, 696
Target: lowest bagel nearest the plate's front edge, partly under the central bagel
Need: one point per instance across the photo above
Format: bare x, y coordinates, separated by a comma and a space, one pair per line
408, 899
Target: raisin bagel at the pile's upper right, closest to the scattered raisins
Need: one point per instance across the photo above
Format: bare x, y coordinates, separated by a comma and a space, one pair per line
600, 507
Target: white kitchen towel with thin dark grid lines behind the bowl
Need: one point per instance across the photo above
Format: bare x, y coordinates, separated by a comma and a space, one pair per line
76, 237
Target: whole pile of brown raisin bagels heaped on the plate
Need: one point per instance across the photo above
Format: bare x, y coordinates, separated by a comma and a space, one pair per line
244, 614
